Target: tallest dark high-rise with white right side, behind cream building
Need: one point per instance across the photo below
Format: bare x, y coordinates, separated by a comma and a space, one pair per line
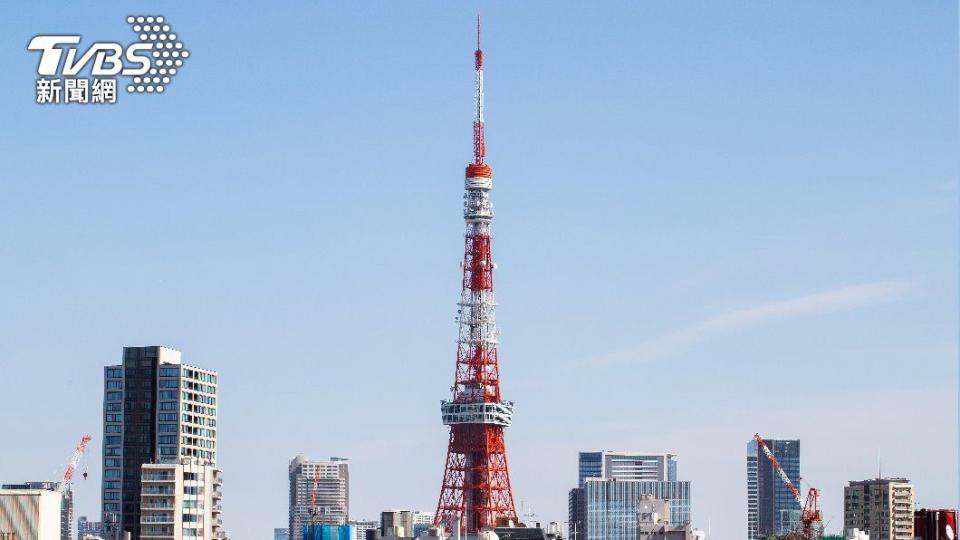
154, 408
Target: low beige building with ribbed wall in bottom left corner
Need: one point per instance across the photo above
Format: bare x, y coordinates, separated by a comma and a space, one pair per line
32, 514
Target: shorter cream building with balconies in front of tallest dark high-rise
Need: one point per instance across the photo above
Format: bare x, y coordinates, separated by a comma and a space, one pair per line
180, 499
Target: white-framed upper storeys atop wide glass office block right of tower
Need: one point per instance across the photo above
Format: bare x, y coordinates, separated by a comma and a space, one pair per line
627, 466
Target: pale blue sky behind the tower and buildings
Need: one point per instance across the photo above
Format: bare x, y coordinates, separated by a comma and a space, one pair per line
712, 219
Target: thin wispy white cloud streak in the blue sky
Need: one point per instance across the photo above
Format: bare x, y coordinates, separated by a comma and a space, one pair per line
831, 301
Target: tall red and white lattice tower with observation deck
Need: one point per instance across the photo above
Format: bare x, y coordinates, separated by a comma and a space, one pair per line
476, 483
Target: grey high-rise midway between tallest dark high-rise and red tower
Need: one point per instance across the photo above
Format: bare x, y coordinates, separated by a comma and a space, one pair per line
329, 481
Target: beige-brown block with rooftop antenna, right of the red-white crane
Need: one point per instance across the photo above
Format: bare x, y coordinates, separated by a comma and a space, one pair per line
881, 507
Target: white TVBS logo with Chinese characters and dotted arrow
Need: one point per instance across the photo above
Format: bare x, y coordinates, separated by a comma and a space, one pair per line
150, 63
